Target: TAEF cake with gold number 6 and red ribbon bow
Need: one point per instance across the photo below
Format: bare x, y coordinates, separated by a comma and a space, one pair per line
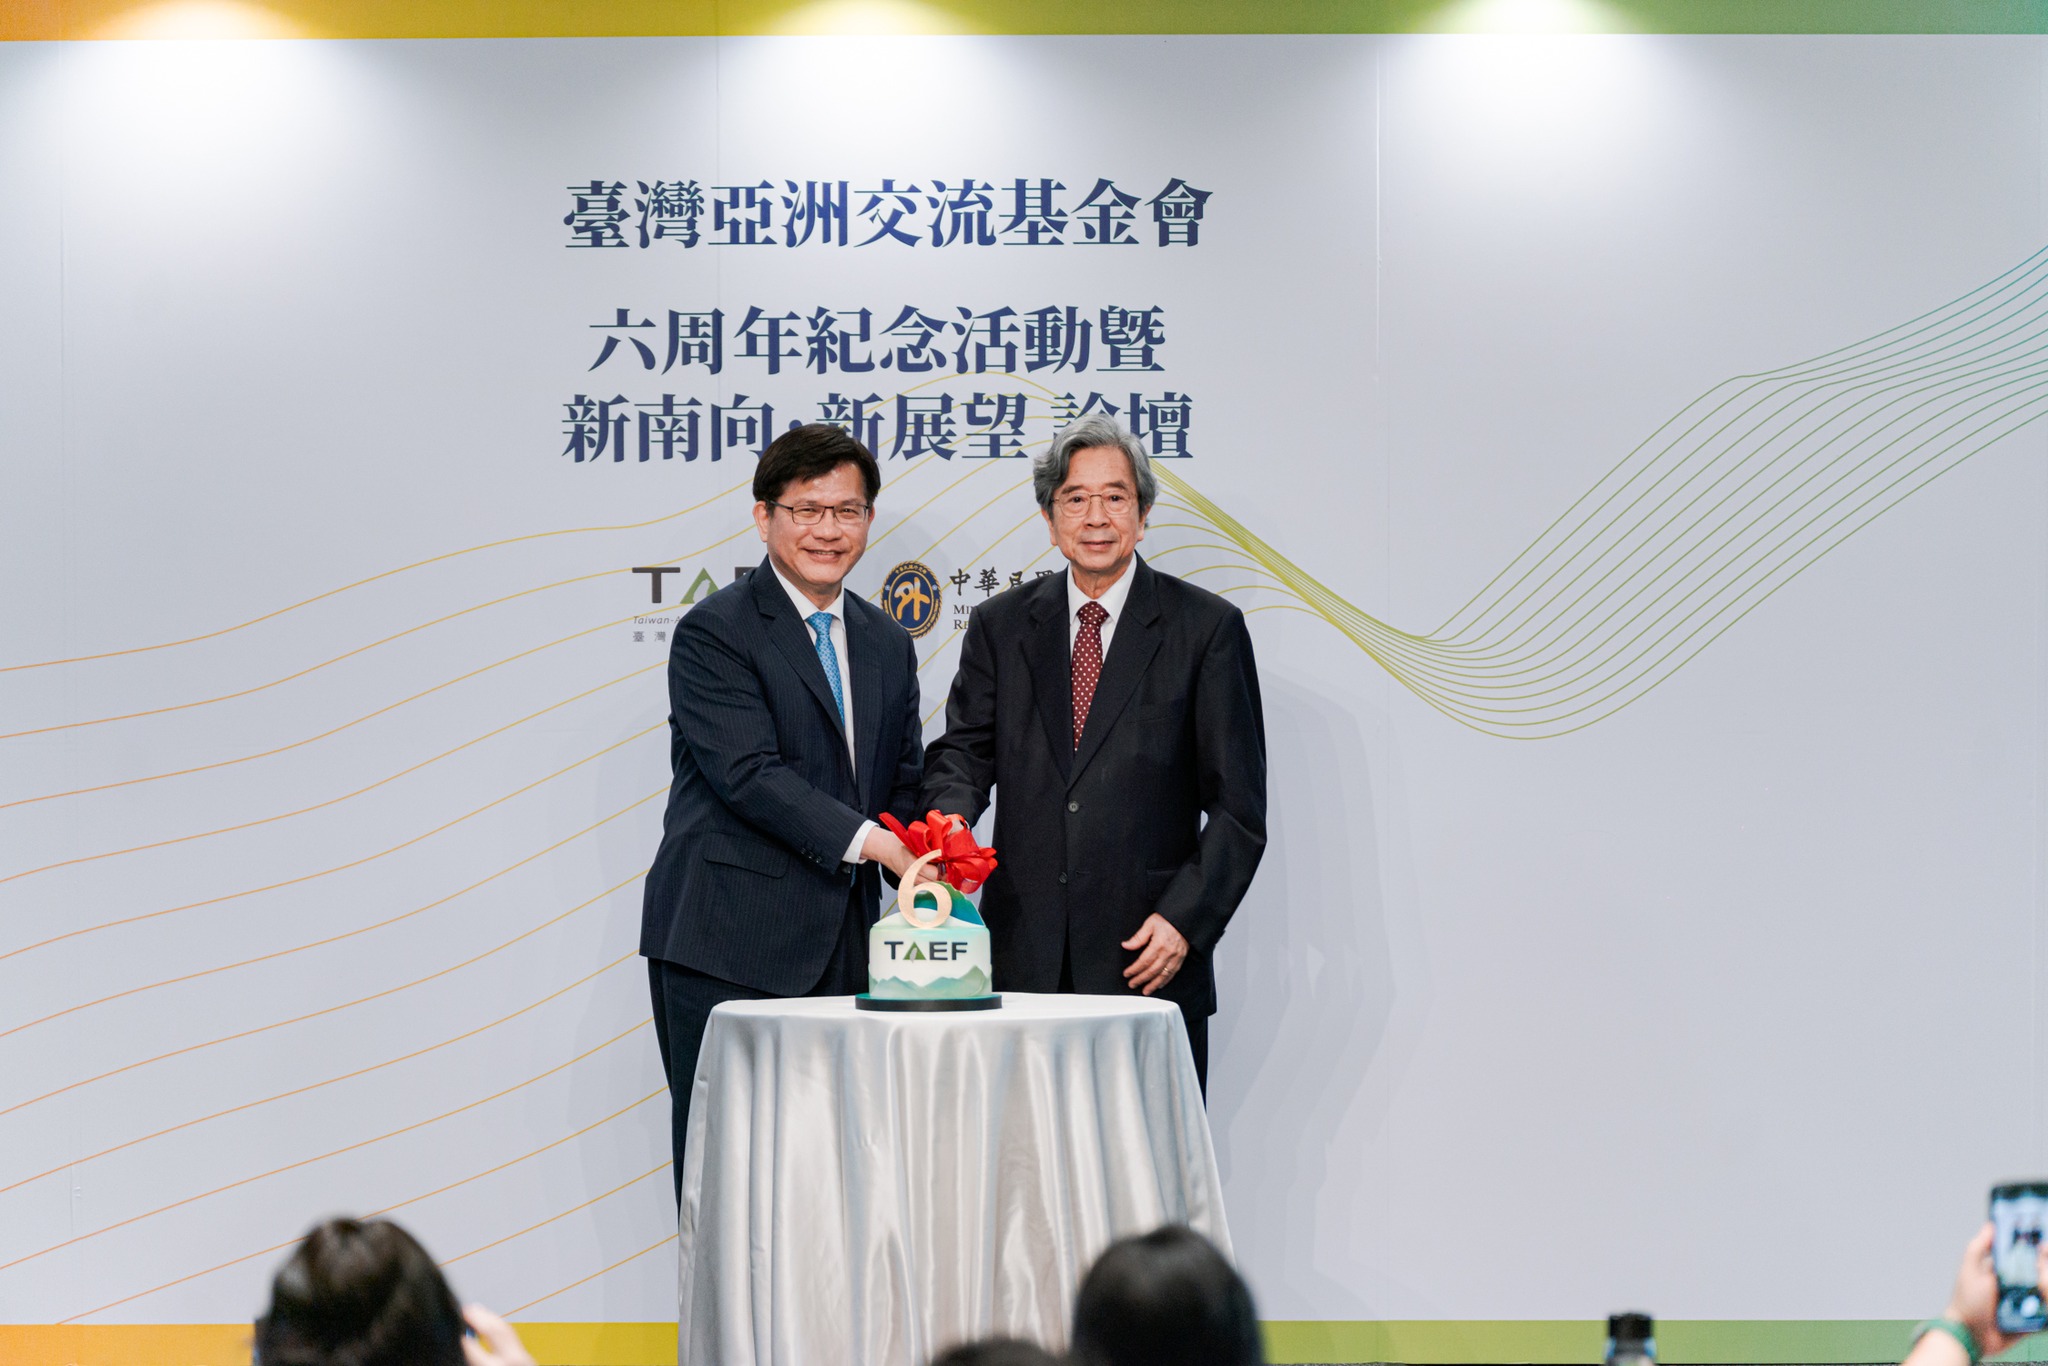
933, 951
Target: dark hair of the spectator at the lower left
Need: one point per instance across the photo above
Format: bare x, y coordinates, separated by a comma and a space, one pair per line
359, 1293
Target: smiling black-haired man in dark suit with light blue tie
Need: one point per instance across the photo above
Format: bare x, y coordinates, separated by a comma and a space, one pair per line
794, 716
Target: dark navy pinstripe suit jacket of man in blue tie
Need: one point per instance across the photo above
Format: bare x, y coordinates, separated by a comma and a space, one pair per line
749, 882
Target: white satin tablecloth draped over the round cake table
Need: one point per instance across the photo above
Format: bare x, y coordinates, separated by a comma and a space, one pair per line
869, 1189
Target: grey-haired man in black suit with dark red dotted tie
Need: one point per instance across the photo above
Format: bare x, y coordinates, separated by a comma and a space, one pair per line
1117, 714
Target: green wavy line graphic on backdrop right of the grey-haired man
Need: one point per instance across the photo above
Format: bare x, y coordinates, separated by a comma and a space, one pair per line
1730, 501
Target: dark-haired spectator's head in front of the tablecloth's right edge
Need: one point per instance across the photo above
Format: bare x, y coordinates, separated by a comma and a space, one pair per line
1164, 1299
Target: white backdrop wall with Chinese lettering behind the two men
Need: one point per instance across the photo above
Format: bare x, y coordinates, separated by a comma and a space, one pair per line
321, 841
